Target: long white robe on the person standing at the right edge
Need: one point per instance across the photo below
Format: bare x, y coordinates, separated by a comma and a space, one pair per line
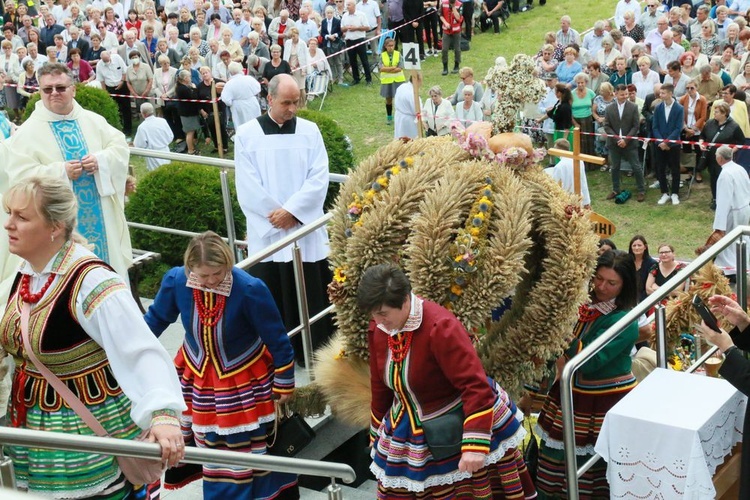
732, 208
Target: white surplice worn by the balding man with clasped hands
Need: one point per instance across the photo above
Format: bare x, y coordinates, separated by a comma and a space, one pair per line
287, 171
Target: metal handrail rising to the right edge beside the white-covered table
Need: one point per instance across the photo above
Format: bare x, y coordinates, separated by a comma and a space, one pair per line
566, 386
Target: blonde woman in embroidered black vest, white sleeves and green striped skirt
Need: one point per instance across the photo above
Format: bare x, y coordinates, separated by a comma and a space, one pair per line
85, 327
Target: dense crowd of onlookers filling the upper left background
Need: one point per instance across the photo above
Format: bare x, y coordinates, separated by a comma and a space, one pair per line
136, 51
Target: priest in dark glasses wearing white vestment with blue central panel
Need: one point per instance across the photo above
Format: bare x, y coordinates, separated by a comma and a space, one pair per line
61, 139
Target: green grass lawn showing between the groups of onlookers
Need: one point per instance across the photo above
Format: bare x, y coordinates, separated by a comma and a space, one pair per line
361, 112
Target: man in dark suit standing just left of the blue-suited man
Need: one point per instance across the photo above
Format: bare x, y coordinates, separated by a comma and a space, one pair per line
621, 118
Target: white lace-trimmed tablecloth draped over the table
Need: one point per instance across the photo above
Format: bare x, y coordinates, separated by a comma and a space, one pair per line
666, 437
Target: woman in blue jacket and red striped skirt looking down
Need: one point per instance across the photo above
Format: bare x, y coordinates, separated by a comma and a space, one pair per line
235, 360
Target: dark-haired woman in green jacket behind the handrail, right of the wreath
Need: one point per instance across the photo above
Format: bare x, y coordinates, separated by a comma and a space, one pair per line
599, 384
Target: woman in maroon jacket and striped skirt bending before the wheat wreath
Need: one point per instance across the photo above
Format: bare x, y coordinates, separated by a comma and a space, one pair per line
423, 366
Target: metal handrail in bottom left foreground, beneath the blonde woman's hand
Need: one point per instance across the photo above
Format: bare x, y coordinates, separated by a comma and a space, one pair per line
140, 449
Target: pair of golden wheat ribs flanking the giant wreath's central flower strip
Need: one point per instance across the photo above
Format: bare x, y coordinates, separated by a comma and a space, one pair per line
442, 213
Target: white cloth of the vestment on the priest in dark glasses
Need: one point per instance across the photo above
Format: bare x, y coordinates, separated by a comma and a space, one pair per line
33, 151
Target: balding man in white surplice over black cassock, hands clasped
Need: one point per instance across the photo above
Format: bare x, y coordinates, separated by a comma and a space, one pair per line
282, 179
